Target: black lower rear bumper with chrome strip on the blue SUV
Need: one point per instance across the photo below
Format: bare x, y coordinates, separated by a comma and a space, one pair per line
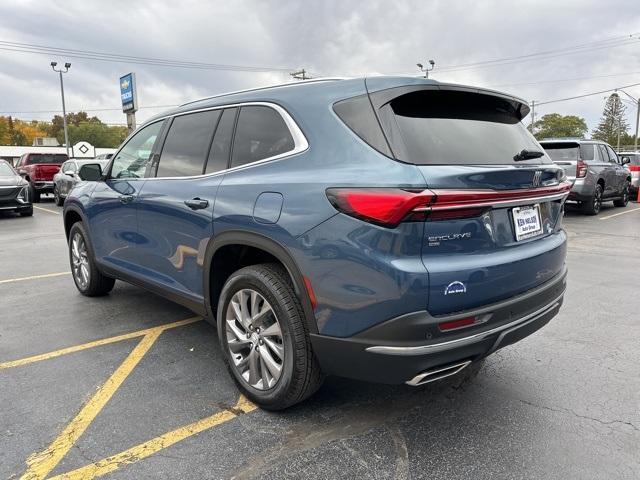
386, 354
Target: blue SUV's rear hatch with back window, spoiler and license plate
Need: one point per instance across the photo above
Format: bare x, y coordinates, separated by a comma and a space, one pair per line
494, 199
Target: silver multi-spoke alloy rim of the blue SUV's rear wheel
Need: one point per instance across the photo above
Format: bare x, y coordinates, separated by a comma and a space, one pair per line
254, 339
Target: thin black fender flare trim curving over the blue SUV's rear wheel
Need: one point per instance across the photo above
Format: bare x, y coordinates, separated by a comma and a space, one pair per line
256, 240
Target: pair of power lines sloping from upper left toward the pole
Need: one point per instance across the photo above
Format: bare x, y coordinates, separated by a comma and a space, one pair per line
121, 58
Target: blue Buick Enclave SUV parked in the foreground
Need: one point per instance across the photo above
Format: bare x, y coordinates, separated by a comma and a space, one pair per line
389, 229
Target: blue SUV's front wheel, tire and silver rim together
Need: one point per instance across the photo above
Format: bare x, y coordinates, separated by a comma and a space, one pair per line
88, 279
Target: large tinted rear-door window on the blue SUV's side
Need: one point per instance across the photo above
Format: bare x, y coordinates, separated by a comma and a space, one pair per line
187, 144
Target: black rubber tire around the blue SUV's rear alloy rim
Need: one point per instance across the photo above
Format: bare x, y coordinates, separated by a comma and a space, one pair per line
300, 376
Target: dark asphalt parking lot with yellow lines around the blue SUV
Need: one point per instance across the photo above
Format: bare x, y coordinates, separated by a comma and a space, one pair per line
133, 386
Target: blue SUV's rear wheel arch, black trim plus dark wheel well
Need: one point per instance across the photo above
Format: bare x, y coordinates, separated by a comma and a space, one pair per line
271, 248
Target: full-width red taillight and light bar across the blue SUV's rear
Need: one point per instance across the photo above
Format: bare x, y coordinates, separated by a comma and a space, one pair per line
390, 206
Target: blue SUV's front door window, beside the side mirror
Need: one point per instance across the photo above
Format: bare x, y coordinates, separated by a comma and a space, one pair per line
134, 158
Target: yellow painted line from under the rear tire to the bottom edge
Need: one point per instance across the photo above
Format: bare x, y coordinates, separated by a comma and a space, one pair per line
150, 447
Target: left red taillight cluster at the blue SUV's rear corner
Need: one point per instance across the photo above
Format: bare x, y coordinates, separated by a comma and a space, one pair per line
383, 206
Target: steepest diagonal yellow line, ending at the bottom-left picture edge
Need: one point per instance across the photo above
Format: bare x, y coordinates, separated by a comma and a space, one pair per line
40, 464
